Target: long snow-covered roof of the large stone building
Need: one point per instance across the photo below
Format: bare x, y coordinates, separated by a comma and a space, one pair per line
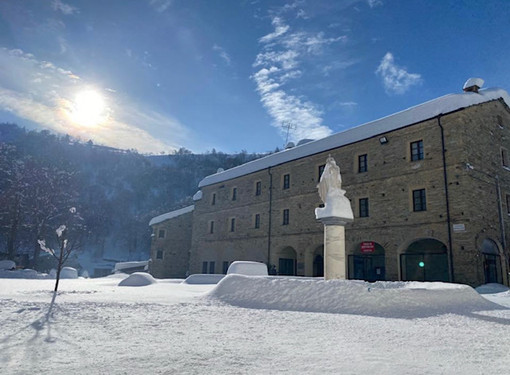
419, 113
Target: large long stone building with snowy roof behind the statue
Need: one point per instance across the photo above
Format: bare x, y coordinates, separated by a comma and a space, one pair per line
429, 187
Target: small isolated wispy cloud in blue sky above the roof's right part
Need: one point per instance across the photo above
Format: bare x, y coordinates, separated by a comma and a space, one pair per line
396, 79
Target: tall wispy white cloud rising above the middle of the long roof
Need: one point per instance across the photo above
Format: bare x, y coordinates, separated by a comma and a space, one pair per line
278, 64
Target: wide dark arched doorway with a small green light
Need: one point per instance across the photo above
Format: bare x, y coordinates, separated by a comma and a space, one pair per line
425, 260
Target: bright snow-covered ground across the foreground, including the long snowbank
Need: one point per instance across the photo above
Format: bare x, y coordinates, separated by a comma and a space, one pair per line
253, 325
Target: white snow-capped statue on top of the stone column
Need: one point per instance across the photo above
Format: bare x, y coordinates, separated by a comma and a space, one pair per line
336, 204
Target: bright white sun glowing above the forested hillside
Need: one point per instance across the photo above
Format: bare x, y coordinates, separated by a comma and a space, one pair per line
88, 108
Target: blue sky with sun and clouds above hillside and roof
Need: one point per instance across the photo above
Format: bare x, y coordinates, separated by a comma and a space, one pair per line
157, 75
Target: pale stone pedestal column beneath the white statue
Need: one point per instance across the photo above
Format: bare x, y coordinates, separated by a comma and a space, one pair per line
334, 248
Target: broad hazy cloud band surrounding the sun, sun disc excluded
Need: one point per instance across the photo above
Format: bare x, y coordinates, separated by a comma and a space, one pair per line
43, 93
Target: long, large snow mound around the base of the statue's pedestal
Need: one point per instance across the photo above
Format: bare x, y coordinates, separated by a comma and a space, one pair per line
406, 300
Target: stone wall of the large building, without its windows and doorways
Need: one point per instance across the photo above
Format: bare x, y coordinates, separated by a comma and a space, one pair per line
473, 135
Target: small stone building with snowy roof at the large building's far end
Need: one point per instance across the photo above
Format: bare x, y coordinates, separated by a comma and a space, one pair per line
171, 243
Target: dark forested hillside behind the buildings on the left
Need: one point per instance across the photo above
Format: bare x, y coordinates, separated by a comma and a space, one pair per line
116, 192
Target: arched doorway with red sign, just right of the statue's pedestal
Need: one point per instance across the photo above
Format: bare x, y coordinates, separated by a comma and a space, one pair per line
367, 262
